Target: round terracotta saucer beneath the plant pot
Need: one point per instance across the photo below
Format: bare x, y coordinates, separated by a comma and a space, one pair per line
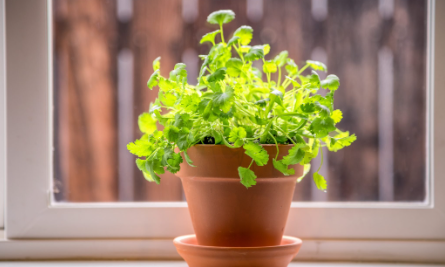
207, 256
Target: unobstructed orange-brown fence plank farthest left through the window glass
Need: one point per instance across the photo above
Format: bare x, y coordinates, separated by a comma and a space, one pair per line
85, 87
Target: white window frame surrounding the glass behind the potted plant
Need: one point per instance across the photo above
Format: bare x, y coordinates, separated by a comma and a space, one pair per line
371, 230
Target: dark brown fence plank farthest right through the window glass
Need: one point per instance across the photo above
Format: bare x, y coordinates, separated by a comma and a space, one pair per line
408, 42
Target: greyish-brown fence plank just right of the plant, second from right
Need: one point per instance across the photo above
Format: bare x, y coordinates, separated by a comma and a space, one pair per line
352, 46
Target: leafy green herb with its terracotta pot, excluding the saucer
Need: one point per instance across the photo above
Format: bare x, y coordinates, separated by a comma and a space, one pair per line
240, 139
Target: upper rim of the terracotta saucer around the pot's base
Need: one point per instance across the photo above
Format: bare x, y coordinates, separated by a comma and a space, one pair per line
179, 241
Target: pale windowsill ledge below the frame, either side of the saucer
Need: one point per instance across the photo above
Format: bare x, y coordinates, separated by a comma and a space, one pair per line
389, 251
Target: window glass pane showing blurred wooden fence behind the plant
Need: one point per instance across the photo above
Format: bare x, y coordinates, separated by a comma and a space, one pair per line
103, 53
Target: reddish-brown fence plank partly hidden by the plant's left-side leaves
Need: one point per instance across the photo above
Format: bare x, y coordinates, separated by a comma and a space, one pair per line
156, 31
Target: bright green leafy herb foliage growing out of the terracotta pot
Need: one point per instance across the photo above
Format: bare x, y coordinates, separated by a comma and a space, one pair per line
233, 105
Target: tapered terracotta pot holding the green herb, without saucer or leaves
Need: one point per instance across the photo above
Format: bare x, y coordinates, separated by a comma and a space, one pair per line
224, 212
